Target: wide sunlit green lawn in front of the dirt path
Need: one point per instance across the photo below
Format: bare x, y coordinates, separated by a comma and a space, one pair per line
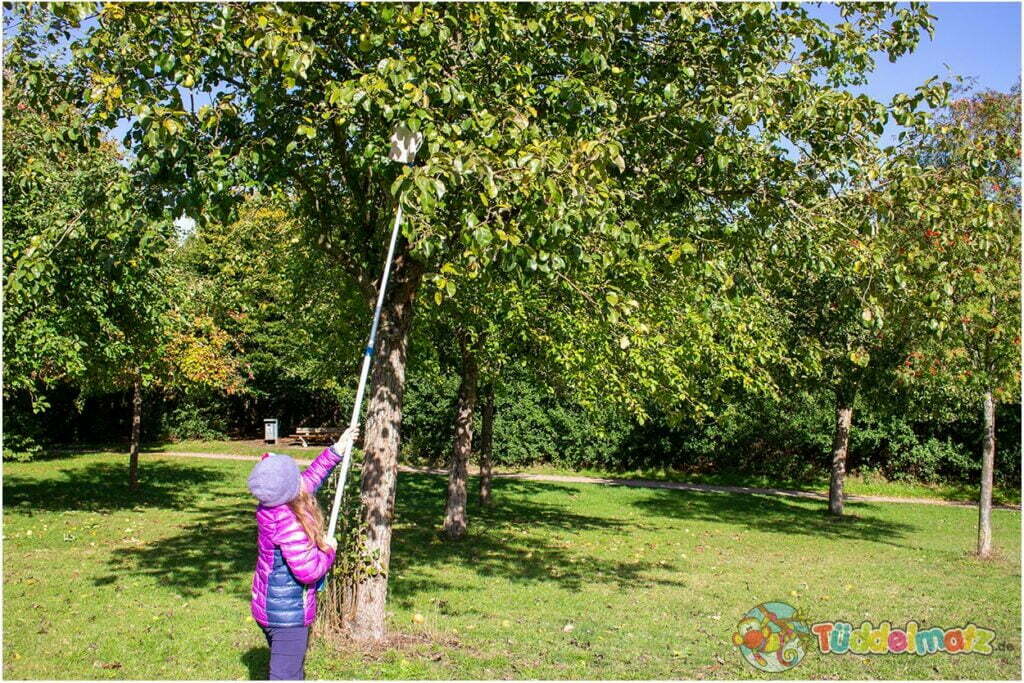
104, 583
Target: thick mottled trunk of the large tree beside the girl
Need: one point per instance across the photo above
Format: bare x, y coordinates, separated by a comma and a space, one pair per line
382, 440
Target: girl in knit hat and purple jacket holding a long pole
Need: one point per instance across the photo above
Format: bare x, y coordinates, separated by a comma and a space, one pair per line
293, 553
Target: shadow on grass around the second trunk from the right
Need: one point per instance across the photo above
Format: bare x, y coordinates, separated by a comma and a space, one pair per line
775, 515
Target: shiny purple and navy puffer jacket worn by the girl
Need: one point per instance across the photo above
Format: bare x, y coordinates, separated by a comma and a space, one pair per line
288, 564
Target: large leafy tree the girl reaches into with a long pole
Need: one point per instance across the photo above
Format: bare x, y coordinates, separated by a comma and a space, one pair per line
596, 146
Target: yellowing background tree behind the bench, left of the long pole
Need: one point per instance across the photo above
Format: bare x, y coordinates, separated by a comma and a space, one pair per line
292, 323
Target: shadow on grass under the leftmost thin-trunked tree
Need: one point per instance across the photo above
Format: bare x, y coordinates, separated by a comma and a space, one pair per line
104, 486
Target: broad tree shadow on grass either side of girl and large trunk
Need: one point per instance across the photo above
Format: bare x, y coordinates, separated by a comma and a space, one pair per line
216, 550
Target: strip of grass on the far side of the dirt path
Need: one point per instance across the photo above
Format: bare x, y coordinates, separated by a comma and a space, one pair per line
857, 486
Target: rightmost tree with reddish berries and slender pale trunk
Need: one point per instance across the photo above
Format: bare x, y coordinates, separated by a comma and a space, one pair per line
974, 154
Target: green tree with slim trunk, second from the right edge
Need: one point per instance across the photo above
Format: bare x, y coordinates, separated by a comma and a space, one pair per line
855, 287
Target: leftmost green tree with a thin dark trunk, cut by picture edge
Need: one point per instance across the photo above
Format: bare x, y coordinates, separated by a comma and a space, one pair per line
83, 298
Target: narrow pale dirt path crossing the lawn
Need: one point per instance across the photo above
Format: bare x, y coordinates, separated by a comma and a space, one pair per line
636, 484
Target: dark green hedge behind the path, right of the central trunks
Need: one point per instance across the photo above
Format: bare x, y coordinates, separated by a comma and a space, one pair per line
790, 438
